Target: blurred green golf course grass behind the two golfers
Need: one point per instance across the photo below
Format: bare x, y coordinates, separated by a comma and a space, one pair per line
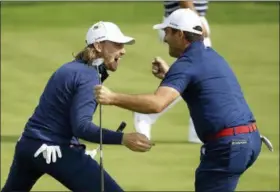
38, 37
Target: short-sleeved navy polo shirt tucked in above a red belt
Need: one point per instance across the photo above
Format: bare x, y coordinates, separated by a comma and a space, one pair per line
210, 88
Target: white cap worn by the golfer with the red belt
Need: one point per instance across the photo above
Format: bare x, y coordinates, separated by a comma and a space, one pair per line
182, 19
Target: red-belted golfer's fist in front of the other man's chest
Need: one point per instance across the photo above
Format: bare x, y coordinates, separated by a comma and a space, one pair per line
103, 95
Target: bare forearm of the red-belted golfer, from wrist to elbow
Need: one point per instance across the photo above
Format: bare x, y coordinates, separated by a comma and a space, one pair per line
138, 103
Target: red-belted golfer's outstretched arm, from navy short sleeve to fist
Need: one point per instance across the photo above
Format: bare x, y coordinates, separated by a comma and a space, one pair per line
173, 84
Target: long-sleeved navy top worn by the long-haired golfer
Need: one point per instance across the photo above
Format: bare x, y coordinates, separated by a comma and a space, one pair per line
66, 108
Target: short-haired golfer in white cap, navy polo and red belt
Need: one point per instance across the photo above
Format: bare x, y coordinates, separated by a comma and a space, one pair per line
223, 120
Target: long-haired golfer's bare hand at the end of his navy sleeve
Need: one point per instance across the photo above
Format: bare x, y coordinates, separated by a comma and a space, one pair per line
137, 142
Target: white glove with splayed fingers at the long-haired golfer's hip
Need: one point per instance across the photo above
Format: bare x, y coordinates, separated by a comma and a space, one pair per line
49, 153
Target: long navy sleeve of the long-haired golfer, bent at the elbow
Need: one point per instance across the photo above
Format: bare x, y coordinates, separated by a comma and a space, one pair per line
82, 110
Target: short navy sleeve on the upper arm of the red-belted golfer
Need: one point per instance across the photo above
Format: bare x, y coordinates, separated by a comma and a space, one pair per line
179, 75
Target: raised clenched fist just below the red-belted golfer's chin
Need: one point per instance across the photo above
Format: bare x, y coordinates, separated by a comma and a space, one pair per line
159, 67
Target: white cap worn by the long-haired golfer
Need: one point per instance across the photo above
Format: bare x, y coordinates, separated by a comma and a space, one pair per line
107, 31
